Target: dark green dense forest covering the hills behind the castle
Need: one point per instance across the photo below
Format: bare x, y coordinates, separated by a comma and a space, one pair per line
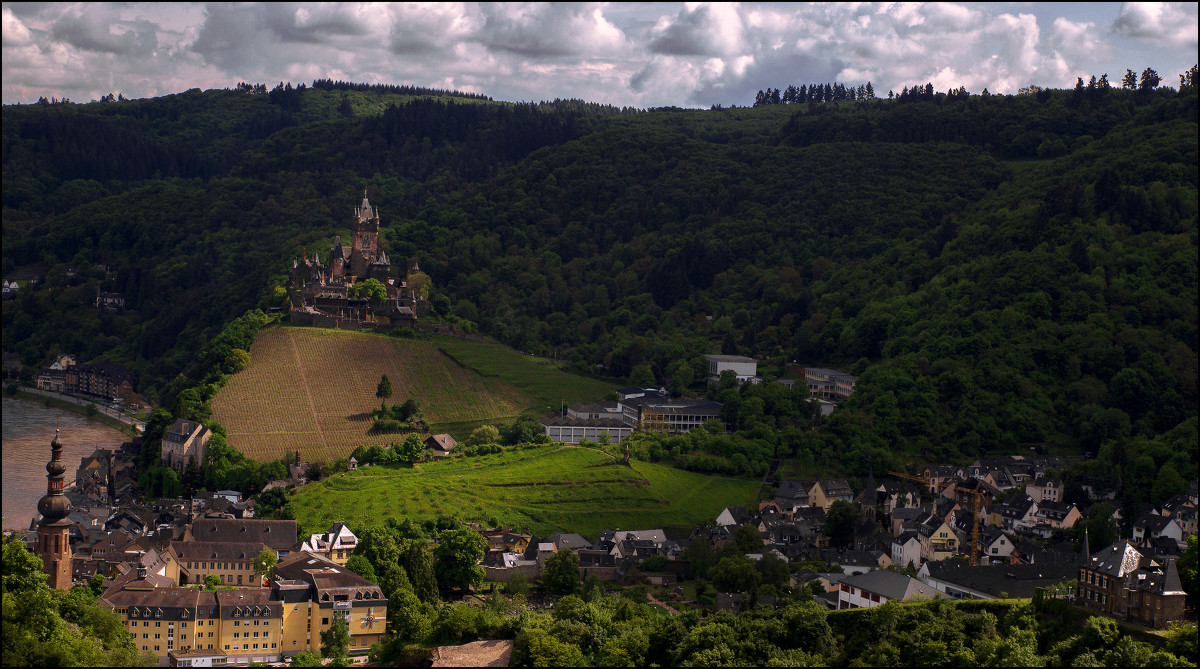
1005, 273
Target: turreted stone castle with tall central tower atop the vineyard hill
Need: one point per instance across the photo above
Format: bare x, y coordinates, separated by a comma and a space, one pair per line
321, 293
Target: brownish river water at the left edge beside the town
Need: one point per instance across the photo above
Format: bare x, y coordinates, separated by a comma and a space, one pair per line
28, 432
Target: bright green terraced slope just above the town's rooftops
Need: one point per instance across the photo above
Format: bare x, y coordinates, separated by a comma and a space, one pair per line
538, 491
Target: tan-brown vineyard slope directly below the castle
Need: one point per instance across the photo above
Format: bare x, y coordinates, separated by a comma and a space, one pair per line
313, 390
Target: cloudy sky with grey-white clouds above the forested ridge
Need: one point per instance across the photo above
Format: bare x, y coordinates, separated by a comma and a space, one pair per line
627, 55
